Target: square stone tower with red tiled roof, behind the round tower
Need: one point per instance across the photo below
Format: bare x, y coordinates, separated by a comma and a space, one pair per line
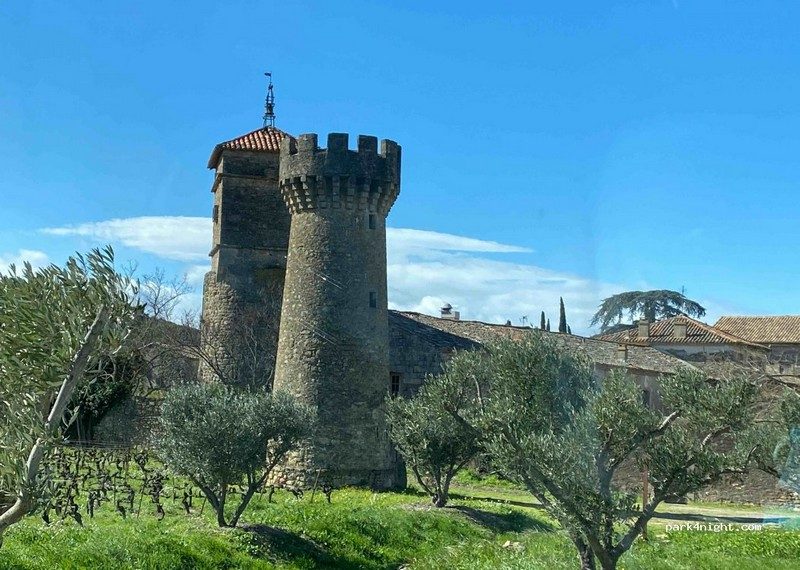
242, 292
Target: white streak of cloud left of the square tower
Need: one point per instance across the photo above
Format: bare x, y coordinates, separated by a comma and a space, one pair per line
180, 238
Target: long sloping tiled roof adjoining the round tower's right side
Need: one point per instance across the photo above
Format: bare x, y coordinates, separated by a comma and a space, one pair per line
601, 352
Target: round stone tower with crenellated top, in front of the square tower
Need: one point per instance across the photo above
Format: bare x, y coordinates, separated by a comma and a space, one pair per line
333, 351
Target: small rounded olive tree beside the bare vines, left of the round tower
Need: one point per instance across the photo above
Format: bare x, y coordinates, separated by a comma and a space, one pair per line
226, 438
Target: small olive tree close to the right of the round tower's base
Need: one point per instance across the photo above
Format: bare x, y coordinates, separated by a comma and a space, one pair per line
434, 445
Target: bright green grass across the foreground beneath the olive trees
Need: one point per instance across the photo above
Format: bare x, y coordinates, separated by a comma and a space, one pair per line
361, 529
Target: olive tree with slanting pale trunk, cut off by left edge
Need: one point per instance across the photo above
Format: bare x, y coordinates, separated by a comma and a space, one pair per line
57, 325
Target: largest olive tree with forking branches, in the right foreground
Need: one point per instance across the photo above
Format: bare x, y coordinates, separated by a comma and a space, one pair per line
547, 423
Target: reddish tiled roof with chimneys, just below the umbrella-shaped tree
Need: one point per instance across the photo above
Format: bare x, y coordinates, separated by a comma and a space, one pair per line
663, 332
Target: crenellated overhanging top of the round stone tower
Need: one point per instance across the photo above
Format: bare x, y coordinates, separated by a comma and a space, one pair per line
337, 177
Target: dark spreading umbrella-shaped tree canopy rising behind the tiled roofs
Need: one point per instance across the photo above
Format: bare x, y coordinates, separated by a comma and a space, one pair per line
651, 305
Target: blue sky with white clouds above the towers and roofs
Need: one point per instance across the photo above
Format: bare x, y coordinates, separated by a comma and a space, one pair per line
573, 149
